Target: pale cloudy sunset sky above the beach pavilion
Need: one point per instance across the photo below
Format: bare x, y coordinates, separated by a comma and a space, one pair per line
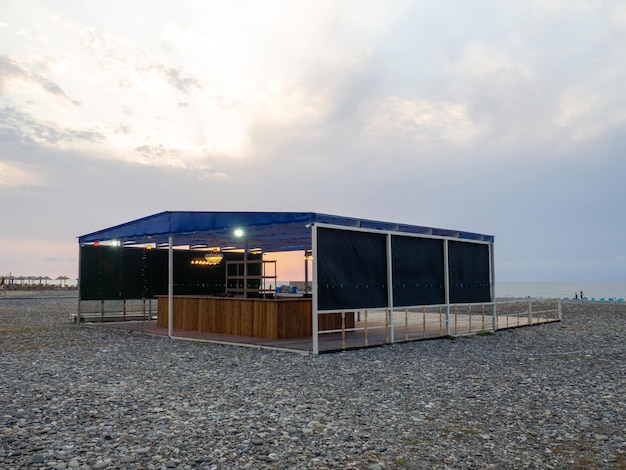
498, 117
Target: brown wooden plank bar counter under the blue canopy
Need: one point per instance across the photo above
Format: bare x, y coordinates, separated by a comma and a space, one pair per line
258, 318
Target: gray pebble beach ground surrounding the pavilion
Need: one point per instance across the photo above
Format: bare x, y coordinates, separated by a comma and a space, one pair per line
550, 396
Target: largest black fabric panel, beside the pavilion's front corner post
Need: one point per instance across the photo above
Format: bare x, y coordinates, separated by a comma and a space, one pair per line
352, 269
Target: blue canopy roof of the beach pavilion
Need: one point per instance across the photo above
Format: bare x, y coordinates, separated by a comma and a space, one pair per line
265, 231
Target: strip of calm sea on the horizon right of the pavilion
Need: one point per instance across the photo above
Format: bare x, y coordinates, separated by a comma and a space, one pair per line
562, 290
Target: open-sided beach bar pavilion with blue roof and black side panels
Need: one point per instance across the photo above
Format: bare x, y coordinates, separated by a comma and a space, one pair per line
207, 272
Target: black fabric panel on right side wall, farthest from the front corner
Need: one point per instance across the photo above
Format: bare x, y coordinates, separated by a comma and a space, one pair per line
469, 272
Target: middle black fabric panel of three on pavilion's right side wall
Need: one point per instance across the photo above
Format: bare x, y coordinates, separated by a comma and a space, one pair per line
418, 271
